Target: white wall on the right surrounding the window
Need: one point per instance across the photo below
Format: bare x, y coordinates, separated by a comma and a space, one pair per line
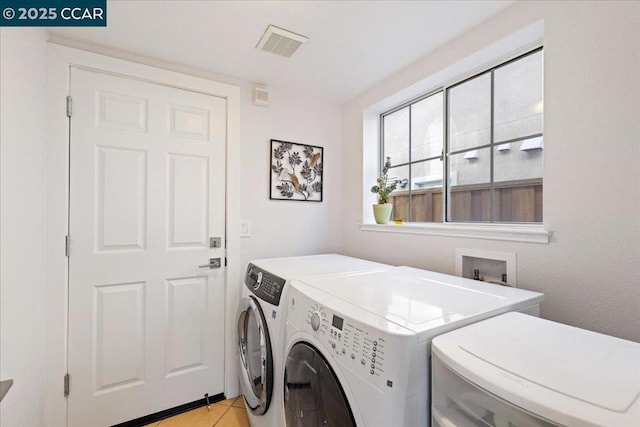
590, 271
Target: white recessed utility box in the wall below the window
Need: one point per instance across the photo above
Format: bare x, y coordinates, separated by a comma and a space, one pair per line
491, 265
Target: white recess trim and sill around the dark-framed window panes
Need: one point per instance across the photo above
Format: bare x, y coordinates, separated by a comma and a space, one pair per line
513, 46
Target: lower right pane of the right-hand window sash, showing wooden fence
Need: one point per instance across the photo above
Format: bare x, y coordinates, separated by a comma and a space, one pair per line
517, 193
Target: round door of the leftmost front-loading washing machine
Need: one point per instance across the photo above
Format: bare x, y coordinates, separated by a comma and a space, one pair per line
256, 361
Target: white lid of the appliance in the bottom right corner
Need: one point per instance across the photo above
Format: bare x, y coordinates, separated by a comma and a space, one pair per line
558, 360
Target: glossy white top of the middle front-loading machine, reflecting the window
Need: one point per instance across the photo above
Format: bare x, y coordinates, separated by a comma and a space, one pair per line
426, 305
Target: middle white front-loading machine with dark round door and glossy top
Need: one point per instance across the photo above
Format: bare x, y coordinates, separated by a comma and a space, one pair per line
358, 345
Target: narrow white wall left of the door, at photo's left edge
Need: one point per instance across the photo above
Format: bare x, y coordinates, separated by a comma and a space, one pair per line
23, 215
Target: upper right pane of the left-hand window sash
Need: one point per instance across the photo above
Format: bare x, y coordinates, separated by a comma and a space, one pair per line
426, 128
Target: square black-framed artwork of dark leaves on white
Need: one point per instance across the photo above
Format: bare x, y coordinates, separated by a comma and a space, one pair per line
296, 172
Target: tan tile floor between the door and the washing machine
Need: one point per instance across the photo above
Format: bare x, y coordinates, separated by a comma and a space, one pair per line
226, 413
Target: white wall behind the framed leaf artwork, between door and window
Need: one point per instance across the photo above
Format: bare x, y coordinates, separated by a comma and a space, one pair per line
286, 228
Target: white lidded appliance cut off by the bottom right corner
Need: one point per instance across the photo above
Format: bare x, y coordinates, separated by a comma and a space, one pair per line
518, 370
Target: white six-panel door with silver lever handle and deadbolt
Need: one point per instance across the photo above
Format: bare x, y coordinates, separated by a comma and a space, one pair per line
146, 324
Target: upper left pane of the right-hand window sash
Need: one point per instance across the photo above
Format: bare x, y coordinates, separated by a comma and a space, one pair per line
470, 113
